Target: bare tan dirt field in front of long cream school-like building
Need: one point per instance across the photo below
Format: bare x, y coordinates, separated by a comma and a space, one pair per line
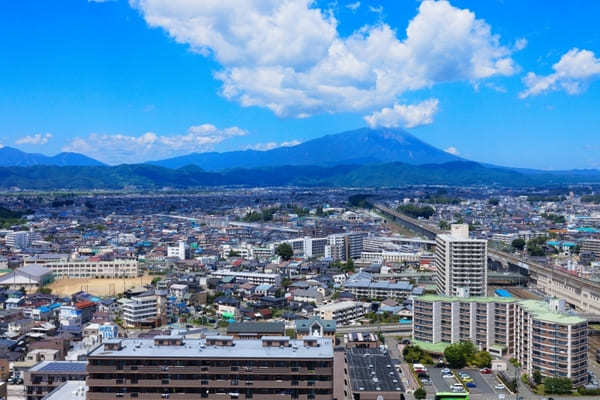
97, 287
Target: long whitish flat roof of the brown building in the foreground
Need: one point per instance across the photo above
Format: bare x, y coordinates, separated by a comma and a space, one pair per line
198, 348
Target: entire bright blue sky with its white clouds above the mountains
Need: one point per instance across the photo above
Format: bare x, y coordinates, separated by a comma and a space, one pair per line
506, 82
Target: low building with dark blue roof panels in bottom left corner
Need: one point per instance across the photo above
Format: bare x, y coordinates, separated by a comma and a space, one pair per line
44, 377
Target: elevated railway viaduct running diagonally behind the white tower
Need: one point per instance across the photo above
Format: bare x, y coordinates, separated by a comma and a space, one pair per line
583, 294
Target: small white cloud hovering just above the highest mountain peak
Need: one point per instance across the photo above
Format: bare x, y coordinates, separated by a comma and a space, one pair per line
407, 116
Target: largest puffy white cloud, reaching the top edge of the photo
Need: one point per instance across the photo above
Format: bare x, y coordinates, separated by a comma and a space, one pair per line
287, 55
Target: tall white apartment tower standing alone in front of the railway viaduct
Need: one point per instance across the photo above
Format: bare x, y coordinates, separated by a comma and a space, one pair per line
461, 263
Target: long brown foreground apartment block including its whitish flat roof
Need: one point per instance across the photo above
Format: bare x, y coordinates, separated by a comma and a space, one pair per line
218, 367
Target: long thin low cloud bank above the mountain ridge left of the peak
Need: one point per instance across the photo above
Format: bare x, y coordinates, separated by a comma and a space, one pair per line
118, 148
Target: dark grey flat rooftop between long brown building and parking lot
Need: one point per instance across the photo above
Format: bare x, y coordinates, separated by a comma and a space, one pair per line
372, 370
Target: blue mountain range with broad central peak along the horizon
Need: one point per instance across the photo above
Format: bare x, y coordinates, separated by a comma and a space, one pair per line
359, 158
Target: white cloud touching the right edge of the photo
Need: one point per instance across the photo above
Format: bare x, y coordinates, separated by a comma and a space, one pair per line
572, 73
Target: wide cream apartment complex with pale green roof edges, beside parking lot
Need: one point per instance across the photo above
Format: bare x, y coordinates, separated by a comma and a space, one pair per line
534, 332
